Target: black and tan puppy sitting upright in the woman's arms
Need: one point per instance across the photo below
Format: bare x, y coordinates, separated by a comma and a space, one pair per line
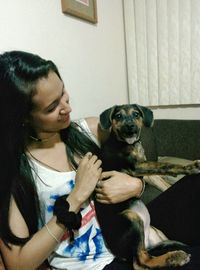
126, 226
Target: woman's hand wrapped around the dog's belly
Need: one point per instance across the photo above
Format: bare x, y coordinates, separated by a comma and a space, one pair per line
115, 187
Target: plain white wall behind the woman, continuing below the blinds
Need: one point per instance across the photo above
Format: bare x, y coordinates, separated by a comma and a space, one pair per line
91, 58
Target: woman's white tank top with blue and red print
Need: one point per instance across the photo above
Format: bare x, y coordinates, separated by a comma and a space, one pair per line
88, 251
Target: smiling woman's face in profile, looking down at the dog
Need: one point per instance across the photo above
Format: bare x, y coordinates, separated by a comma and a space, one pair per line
51, 109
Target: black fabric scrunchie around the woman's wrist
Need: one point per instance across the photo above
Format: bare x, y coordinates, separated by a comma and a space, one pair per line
70, 220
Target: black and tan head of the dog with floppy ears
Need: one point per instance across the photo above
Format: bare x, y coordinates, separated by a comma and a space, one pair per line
126, 121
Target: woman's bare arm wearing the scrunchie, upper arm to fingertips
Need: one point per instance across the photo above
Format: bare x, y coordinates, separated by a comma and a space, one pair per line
32, 254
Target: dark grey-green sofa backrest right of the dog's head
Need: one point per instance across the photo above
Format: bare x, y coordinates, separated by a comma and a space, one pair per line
169, 137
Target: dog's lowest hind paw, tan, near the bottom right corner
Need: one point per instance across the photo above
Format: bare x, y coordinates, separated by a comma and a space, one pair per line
177, 258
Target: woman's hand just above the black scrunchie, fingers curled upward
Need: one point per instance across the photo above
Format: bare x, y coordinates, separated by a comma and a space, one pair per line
88, 173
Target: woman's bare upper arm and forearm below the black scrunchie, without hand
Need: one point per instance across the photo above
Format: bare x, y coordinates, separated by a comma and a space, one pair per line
36, 250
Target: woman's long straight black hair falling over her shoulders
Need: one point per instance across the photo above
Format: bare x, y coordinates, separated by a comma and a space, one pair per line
19, 74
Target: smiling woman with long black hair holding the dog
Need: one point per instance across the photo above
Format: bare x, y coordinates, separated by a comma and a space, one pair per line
44, 156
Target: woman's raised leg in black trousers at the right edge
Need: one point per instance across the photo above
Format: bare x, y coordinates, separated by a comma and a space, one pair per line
176, 211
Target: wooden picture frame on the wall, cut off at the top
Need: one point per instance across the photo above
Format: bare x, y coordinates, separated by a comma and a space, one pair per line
83, 9
